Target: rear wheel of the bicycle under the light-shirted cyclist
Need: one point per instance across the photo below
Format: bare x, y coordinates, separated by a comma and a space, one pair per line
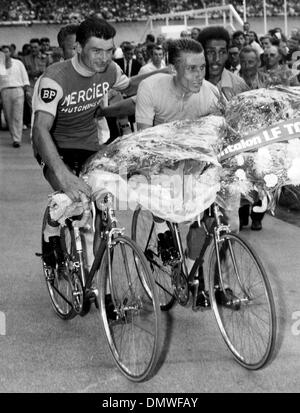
144, 233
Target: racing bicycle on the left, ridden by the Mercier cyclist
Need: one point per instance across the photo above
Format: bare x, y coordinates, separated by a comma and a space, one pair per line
119, 283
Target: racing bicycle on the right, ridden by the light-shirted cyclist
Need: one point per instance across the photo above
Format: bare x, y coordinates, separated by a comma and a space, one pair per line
239, 290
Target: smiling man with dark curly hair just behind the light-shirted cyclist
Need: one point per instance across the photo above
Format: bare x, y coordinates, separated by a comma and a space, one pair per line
216, 40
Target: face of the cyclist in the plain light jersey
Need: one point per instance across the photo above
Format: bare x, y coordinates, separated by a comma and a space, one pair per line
191, 71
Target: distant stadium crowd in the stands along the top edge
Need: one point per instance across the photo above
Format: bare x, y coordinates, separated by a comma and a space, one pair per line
62, 11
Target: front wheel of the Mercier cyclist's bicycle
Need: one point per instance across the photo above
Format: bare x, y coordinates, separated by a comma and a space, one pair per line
132, 320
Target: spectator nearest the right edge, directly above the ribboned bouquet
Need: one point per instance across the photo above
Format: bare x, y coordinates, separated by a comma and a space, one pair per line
279, 74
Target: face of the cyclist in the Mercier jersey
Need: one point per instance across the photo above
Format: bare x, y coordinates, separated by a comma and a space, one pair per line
97, 53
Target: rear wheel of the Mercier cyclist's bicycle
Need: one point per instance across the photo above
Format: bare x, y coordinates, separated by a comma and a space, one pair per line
58, 286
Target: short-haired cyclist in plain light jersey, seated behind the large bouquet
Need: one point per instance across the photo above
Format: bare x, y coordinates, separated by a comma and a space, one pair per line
183, 95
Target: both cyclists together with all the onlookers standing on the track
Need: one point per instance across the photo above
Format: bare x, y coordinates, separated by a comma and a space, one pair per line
96, 85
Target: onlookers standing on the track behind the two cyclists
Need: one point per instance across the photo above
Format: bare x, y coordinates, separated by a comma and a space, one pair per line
259, 62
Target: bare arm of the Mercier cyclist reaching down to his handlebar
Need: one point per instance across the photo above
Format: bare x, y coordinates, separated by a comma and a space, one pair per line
61, 178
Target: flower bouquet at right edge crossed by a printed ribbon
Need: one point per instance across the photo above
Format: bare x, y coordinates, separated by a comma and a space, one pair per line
267, 168
